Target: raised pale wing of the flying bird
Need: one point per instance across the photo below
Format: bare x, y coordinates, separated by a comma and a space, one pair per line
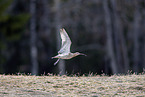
66, 42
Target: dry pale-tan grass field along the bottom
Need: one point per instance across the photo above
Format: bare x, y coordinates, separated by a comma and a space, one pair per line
52, 86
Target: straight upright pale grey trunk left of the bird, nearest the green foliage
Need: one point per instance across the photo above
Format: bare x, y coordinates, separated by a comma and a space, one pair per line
33, 47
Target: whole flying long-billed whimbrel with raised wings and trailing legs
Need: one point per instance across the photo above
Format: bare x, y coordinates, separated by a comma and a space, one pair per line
64, 52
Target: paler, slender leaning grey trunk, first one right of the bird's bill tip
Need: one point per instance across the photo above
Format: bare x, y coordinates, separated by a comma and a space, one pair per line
109, 43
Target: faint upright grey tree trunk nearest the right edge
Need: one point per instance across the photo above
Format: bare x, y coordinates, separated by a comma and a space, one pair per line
136, 31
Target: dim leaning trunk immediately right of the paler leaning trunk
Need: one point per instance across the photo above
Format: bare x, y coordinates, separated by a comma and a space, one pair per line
120, 44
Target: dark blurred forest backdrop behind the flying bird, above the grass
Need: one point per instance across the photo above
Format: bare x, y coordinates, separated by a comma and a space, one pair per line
110, 32
